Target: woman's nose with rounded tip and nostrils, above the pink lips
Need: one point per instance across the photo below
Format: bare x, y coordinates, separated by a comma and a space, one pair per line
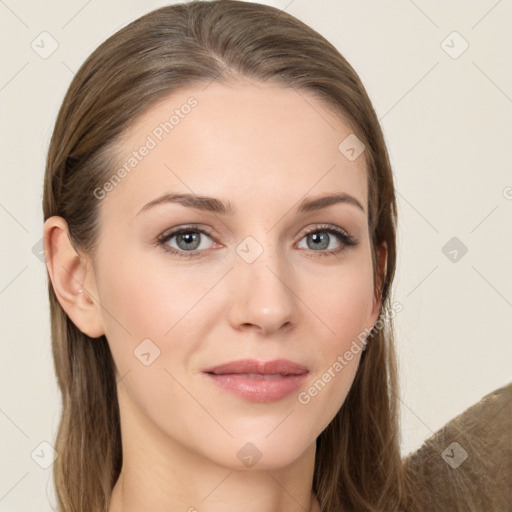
263, 298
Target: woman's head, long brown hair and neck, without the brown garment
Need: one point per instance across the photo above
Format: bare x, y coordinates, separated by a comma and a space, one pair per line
219, 231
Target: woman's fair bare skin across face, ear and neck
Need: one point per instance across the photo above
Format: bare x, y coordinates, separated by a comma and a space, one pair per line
264, 149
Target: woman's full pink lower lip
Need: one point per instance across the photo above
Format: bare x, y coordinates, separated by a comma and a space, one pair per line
259, 389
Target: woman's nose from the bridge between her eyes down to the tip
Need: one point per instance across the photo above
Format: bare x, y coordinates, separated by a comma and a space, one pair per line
262, 280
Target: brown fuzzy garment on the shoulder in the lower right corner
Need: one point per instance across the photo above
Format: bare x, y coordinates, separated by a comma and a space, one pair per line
442, 478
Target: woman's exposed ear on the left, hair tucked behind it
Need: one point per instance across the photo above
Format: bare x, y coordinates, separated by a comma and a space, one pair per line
72, 278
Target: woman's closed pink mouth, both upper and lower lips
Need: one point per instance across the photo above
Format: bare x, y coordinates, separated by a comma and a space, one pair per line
257, 381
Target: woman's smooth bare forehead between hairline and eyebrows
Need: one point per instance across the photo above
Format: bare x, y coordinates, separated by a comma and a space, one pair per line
252, 144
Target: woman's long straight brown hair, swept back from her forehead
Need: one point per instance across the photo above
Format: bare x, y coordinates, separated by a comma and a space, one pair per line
358, 464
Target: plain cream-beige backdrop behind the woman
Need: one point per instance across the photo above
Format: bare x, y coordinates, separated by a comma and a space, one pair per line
447, 122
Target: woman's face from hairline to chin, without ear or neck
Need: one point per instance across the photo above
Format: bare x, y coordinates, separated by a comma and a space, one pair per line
243, 281
